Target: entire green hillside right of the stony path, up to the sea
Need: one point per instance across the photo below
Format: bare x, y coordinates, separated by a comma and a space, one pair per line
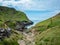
49, 31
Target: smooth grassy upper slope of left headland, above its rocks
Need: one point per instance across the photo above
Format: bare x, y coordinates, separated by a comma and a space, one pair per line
11, 14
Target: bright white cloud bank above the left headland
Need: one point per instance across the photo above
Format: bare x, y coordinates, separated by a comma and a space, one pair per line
24, 4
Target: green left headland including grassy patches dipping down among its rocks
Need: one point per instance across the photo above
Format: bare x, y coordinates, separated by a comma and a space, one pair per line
10, 14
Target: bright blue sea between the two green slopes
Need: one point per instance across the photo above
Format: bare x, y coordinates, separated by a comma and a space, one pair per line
38, 16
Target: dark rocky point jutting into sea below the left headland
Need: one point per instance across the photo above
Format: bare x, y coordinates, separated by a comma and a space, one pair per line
21, 26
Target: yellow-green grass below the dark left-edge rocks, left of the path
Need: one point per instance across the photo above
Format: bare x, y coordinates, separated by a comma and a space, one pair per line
13, 39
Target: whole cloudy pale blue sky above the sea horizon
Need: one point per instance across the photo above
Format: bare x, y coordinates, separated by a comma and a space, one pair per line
32, 4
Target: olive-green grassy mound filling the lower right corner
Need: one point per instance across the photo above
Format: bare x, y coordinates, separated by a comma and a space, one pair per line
49, 37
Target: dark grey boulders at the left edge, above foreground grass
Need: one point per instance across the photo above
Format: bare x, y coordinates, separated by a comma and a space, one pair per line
4, 33
